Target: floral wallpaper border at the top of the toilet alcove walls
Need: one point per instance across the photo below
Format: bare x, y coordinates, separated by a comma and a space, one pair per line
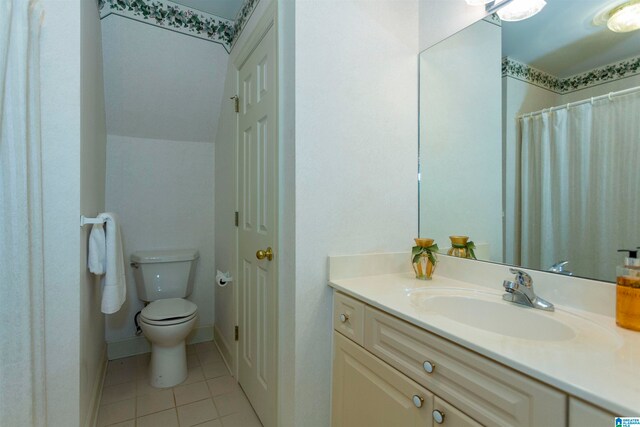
171, 16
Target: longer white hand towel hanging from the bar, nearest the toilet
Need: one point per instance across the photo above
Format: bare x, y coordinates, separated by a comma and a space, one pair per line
114, 291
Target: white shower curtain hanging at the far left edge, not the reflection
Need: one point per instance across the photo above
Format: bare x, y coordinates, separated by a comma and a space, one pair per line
22, 376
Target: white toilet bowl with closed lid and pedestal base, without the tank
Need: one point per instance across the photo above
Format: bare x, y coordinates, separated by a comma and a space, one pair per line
166, 324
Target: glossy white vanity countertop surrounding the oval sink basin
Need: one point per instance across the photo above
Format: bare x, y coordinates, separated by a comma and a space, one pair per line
601, 364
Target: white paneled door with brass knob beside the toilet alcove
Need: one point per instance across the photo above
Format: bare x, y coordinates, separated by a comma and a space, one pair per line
257, 220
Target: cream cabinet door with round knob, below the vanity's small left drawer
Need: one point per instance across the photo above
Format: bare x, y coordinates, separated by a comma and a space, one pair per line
369, 393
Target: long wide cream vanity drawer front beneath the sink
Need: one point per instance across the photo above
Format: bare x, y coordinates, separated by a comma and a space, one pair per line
486, 391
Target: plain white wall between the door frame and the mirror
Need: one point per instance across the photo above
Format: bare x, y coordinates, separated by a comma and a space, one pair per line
355, 161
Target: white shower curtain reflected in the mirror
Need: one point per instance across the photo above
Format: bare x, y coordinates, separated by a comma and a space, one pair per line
580, 185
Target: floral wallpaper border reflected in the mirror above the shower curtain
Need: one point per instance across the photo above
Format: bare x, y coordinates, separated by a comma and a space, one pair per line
605, 74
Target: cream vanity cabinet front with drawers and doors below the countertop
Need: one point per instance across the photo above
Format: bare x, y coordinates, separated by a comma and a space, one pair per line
375, 381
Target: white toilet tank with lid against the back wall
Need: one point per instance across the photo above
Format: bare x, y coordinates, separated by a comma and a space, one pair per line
164, 274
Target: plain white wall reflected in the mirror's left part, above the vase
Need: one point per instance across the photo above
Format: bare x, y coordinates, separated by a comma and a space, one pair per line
461, 139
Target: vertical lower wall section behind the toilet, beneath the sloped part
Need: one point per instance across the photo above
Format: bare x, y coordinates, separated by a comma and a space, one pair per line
163, 193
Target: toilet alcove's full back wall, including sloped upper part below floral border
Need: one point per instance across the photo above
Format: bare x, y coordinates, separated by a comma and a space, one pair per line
163, 96
